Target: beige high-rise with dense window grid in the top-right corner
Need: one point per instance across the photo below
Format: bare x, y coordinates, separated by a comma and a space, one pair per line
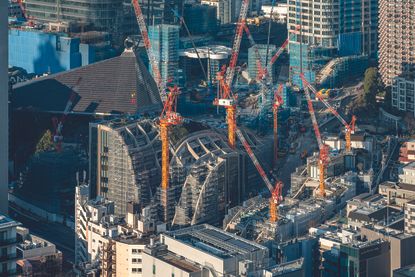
396, 40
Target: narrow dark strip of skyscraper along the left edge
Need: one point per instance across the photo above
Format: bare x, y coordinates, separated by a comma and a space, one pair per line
4, 121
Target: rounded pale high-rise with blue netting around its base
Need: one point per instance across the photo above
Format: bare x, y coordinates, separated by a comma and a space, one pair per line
329, 30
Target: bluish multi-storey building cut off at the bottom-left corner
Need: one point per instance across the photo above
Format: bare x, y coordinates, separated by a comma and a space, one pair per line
8, 254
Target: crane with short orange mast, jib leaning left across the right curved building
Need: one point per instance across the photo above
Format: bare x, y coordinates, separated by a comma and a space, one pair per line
276, 191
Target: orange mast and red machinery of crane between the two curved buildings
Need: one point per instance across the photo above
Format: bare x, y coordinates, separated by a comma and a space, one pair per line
168, 117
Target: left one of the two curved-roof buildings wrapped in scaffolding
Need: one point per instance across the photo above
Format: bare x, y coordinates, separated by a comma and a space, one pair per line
123, 162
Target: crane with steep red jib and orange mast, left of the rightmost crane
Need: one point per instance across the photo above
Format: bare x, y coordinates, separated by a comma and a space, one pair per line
324, 152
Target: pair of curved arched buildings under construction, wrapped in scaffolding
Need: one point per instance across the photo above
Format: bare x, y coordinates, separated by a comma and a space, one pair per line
206, 175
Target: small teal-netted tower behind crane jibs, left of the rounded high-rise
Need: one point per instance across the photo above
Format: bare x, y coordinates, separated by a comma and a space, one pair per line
261, 49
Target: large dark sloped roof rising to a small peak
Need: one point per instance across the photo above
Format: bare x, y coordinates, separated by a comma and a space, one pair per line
102, 87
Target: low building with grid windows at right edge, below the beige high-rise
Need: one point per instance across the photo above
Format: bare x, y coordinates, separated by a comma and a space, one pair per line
403, 92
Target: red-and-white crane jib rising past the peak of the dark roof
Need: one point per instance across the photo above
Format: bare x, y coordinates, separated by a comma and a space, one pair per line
161, 85
